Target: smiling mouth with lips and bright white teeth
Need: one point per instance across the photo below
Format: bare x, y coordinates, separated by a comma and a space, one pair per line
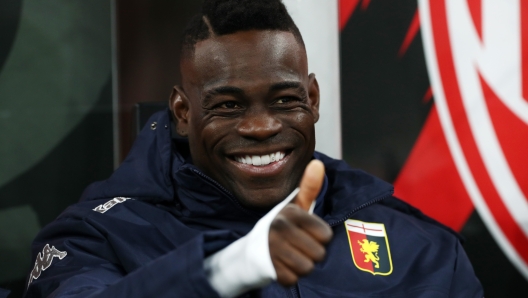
262, 164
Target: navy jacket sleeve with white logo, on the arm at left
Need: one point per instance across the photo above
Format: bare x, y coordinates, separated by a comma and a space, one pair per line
92, 267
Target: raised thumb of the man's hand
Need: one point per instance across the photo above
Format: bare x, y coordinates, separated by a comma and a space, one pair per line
310, 185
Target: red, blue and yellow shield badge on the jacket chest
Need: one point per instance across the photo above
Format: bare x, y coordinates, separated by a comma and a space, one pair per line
369, 246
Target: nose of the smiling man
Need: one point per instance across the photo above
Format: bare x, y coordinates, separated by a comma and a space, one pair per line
259, 126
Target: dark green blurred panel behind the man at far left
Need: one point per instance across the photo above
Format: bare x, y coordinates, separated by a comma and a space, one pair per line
55, 117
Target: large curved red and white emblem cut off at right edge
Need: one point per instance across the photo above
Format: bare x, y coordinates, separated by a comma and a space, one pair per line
477, 57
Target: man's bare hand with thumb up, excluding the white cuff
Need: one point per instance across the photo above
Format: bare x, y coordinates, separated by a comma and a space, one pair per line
296, 238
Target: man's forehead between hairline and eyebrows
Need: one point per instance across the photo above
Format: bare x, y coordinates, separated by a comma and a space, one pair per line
245, 58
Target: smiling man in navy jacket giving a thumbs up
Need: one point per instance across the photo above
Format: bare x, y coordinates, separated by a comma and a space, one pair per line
223, 194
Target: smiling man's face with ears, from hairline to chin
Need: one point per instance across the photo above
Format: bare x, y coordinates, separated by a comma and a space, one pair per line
248, 107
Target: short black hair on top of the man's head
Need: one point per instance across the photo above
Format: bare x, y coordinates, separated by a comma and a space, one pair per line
222, 17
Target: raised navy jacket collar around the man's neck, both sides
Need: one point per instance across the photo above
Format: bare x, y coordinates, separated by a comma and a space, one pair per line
158, 170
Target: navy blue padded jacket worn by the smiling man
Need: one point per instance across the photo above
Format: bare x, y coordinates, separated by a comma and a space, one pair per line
153, 243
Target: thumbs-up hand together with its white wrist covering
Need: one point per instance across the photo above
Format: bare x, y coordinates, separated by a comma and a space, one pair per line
295, 241
